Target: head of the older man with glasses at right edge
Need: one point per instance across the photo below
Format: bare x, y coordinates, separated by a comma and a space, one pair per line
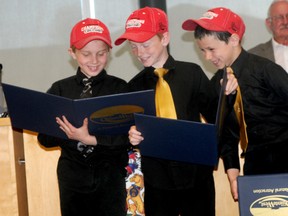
278, 21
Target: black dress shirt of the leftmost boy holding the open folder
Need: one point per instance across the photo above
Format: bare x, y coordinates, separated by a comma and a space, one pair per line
72, 165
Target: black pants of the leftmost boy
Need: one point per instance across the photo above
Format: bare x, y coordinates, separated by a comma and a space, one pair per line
106, 197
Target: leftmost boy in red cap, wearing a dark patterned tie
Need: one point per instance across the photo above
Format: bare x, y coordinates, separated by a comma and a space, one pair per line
91, 170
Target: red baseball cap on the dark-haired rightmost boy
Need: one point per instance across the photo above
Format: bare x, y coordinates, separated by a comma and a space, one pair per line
218, 19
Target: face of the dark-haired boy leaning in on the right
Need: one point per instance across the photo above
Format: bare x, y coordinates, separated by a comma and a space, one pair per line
218, 52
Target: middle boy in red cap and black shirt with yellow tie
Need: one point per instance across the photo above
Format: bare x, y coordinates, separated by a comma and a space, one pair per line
172, 188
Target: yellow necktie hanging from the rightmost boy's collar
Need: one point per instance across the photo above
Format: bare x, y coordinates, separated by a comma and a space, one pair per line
239, 111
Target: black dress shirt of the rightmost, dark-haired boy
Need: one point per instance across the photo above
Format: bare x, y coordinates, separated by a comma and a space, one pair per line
264, 88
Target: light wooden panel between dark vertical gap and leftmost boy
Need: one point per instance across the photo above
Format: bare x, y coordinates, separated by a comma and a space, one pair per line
42, 185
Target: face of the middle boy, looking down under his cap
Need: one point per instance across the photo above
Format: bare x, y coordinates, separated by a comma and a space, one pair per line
152, 52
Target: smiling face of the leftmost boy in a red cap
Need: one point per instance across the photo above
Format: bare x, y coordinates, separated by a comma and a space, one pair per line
92, 58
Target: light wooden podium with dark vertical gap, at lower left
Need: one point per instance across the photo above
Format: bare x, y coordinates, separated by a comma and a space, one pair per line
28, 174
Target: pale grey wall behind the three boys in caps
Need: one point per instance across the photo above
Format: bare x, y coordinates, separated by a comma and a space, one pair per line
35, 35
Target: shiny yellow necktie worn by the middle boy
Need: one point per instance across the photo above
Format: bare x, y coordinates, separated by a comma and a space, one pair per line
163, 97
